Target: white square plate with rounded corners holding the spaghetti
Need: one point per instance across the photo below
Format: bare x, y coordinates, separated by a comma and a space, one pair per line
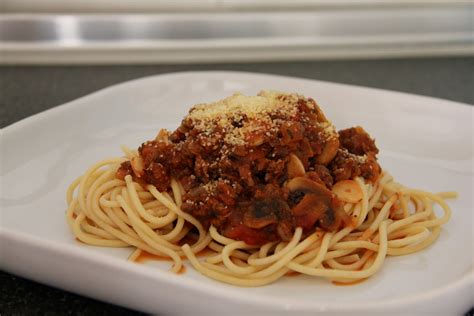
425, 143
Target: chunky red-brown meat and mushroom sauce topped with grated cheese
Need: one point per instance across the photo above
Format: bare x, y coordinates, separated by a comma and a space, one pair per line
257, 167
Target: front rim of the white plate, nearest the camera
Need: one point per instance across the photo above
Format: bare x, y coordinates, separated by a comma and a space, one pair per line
461, 284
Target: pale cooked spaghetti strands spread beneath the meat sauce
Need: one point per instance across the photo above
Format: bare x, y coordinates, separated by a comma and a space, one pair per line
382, 218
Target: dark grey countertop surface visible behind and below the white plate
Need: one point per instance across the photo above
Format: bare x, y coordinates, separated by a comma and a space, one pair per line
27, 90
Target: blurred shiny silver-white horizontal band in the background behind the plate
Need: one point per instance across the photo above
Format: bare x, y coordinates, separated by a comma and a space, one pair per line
221, 36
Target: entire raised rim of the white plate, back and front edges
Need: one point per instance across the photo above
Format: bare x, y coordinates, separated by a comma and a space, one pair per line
461, 284
